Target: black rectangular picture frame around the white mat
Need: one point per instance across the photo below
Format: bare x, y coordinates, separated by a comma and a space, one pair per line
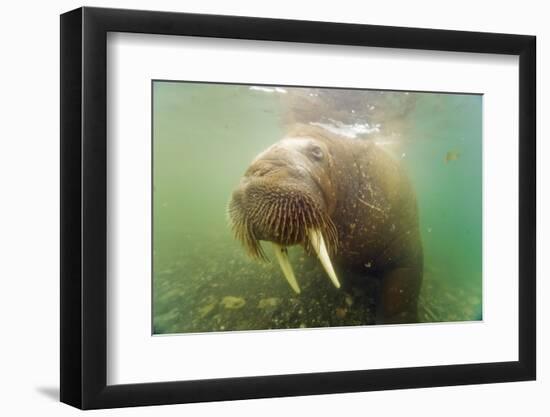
84, 207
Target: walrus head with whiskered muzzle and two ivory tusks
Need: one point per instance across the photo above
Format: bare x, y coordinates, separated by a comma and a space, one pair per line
286, 197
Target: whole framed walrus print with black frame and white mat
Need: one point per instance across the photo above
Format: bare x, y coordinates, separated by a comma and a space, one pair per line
258, 207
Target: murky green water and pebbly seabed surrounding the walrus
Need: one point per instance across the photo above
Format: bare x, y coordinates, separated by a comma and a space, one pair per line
204, 137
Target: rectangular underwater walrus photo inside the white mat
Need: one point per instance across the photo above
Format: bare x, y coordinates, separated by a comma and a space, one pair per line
278, 207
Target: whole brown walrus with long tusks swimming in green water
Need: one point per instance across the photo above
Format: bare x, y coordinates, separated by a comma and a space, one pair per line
346, 200
